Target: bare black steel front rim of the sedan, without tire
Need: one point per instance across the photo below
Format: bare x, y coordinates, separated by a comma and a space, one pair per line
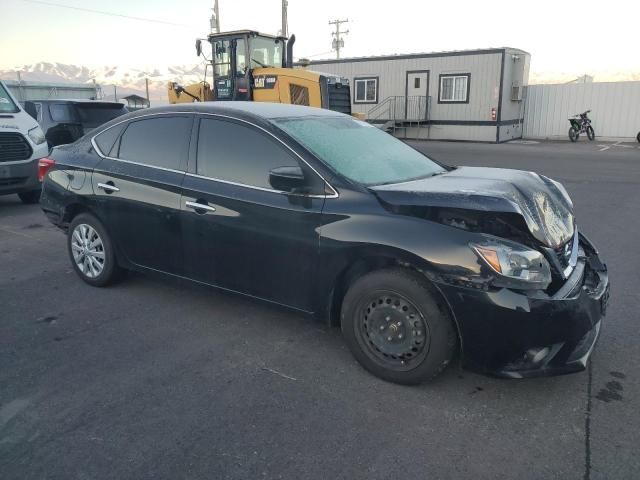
392, 331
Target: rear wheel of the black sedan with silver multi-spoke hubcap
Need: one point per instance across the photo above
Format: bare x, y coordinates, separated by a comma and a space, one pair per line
91, 251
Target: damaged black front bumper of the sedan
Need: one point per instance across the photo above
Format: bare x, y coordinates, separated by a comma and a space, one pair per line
517, 334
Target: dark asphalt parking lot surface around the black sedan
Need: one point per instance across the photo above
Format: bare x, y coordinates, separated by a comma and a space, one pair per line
158, 379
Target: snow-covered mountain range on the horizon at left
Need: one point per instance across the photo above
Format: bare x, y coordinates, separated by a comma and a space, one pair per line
126, 80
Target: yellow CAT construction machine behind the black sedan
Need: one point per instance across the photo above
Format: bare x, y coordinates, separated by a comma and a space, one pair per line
252, 66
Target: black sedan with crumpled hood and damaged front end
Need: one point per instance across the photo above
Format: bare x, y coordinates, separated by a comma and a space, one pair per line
325, 214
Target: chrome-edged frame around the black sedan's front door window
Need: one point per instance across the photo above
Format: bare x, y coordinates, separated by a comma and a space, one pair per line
201, 115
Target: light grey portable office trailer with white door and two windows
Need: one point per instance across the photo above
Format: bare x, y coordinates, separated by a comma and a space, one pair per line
473, 95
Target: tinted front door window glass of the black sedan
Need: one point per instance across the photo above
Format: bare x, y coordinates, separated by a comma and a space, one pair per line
239, 153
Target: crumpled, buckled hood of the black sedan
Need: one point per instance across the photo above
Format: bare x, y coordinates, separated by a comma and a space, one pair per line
546, 209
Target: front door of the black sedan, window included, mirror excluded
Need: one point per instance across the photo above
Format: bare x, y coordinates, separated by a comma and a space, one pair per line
247, 236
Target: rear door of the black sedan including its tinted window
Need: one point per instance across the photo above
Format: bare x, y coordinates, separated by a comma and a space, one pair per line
138, 187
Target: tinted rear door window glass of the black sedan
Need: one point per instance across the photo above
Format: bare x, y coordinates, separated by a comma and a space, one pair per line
158, 142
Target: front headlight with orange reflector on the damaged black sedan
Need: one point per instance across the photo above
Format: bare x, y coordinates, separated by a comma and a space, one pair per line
516, 266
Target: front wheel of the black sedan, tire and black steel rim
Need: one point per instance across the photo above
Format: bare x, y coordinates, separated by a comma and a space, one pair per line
396, 328
